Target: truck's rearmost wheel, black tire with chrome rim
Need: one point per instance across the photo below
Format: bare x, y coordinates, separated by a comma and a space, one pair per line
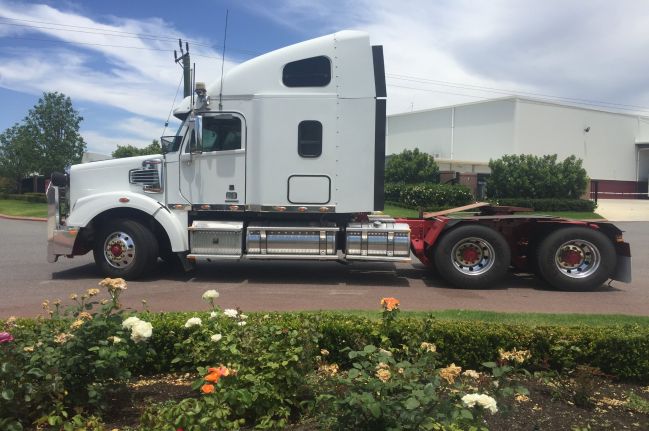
576, 259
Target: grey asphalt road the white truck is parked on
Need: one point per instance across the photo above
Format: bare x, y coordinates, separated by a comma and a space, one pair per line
26, 279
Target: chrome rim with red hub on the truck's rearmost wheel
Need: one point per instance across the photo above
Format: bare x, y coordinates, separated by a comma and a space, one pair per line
577, 258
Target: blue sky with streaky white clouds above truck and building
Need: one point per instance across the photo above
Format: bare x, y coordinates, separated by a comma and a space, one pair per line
114, 58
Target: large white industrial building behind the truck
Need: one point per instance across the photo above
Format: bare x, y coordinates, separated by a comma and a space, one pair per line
613, 146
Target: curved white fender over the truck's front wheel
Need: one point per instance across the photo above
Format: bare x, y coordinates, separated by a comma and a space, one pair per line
87, 208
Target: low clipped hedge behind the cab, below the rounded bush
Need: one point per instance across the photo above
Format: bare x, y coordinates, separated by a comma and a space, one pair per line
428, 196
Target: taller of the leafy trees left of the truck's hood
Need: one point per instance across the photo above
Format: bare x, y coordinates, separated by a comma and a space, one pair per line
52, 127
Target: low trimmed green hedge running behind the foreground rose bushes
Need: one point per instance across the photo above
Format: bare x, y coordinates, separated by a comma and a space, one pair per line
620, 350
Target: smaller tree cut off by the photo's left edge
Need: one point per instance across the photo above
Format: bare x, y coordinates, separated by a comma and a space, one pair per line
17, 156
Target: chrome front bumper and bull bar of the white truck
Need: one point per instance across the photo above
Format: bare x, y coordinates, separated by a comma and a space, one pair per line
60, 239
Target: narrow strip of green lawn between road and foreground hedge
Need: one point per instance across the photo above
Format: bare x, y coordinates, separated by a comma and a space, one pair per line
532, 319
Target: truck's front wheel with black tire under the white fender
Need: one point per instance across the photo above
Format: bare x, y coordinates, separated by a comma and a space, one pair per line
126, 249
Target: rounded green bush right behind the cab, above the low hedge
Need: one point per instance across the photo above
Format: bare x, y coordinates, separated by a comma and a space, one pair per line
411, 167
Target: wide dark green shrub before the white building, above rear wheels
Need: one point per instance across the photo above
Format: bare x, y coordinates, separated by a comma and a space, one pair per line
528, 176
